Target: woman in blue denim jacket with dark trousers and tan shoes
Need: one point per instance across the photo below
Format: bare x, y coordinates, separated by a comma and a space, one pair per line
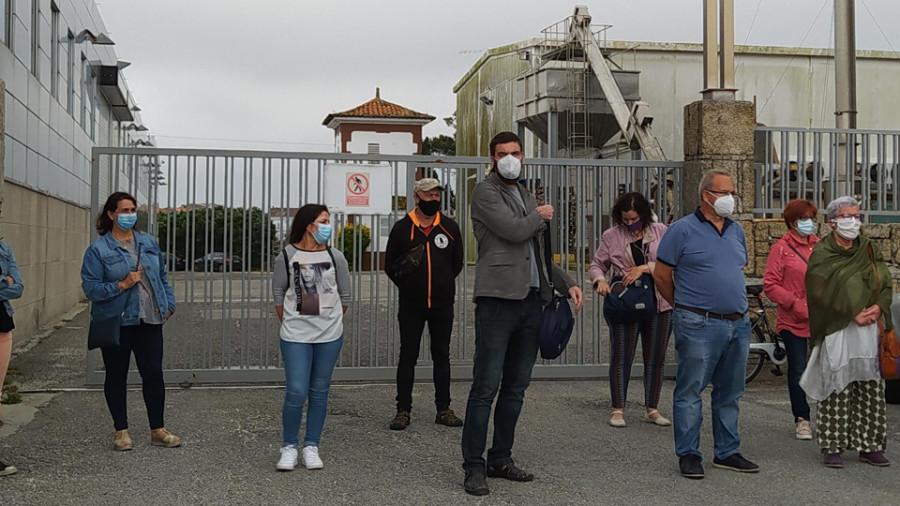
124, 272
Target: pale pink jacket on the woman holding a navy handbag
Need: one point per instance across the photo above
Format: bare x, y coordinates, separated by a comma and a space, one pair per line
615, 252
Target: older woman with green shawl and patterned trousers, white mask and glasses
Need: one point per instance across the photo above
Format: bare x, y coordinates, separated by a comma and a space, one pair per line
848, 289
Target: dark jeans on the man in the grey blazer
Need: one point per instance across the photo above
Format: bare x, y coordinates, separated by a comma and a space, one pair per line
506, 346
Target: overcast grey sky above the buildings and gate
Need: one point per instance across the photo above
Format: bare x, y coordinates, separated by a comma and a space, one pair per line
271, 70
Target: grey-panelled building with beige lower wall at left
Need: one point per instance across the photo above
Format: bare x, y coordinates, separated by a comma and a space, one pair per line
65, 93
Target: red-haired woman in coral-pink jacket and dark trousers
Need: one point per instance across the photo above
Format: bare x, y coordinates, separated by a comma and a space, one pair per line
784, 284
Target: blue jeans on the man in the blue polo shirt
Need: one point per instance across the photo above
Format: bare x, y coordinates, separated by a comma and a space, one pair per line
708, 351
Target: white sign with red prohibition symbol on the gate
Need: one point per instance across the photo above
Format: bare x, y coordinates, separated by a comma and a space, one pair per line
355, 188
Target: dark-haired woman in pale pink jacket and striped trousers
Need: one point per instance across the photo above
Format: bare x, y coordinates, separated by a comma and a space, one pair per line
629, 250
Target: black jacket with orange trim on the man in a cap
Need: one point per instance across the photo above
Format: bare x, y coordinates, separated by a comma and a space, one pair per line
433, 282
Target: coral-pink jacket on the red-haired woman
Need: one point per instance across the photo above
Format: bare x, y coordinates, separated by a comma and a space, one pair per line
785, 283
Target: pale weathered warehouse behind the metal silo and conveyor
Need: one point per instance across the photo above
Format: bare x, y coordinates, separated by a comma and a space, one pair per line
792, 87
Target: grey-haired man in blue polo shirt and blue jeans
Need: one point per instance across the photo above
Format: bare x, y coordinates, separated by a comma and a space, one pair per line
699, 270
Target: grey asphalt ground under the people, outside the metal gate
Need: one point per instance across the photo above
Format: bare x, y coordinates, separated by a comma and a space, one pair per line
61, 442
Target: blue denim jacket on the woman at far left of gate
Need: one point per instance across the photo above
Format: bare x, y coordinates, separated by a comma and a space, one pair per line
106, 263
